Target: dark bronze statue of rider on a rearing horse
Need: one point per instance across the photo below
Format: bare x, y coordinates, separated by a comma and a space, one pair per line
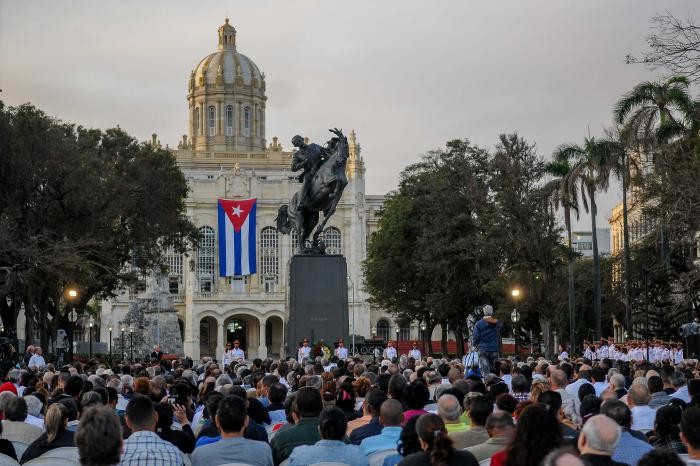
324, 180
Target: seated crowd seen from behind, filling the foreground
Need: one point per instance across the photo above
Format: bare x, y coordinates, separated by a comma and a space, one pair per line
390, 410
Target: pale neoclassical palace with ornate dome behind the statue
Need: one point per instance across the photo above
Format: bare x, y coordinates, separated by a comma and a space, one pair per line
226, 155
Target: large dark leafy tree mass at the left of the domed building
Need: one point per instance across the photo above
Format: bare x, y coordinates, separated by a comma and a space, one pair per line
74, 206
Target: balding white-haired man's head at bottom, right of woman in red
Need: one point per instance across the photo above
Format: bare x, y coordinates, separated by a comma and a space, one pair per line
597, 441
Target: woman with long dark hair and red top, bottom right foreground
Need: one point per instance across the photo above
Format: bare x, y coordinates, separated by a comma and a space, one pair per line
538, 432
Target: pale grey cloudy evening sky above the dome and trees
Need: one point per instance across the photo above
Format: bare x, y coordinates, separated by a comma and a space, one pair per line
406, 75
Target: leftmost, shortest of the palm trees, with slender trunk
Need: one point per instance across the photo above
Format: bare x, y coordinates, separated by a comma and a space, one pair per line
565, 195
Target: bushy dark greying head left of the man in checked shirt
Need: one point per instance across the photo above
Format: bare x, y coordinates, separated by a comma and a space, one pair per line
99, 437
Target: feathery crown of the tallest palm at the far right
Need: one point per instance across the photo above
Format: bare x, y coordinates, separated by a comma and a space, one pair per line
656, 111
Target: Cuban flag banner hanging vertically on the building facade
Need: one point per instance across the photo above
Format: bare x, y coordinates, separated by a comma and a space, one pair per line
237, 237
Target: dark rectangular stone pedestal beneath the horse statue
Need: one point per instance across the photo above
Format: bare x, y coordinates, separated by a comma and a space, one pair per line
318, 300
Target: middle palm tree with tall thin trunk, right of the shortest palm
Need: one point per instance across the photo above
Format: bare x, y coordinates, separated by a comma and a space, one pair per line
591, 167
